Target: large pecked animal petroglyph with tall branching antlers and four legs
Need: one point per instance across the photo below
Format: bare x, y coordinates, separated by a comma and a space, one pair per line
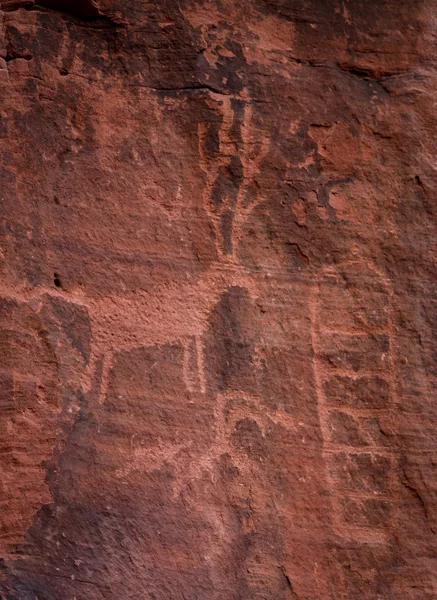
179, 312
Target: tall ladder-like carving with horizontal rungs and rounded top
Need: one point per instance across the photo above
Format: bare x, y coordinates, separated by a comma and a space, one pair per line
353, 341
